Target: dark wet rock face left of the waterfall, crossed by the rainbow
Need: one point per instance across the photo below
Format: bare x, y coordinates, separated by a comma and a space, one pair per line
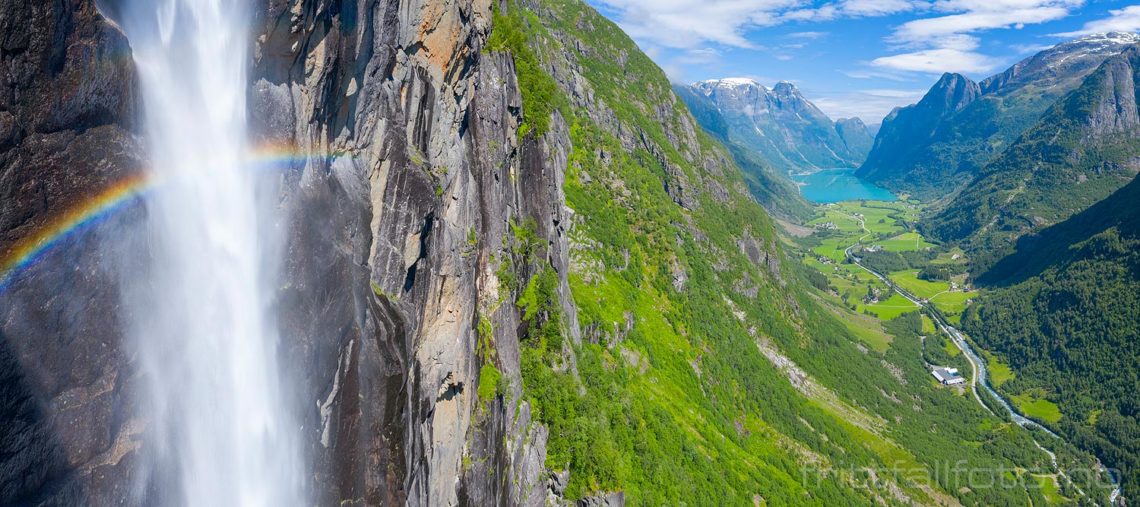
67, 121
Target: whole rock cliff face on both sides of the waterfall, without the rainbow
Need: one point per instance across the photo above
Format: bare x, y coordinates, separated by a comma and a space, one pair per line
405, 173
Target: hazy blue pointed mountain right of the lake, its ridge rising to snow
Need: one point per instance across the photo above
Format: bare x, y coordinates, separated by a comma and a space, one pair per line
941, 144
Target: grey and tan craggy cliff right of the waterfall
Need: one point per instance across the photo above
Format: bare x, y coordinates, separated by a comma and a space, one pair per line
410, 174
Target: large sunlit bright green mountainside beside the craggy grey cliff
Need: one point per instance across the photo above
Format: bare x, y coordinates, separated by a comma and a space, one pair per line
706, 373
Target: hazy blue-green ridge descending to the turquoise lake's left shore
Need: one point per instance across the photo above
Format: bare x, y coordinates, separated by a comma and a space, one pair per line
777, 193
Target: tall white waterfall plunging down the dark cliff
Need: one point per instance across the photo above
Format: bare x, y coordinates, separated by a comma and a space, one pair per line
222, 431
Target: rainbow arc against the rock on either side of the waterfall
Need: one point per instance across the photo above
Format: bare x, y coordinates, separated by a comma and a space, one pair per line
121, 195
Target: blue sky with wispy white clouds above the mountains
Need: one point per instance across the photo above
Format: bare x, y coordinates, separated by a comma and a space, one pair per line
857, 58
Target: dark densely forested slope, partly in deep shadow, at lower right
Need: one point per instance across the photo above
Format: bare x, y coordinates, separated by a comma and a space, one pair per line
1064, 313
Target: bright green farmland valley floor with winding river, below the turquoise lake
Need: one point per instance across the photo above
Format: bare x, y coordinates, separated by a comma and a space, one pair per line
882, 238
